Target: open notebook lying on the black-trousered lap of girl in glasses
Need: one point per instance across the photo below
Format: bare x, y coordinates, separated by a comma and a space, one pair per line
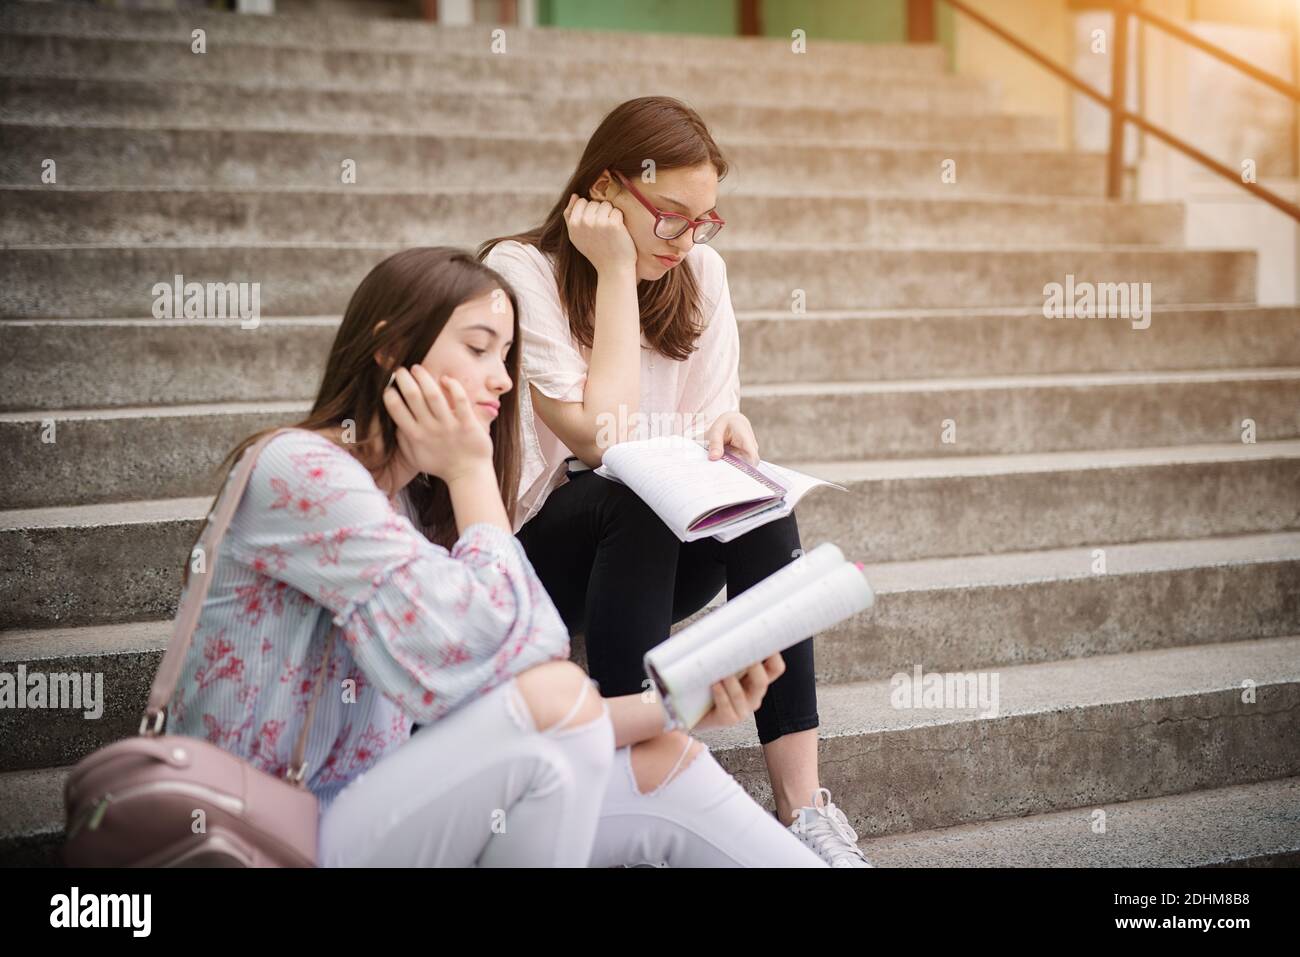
697, 497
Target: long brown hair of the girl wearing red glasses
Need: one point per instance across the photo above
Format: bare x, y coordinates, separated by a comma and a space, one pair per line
649, 128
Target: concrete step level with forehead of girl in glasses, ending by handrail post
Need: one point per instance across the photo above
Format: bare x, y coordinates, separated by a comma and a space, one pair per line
224, 158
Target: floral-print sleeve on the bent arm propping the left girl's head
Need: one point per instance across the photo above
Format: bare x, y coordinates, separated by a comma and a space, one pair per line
431, 629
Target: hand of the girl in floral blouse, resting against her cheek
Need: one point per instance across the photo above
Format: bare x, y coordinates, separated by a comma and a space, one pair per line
439, 432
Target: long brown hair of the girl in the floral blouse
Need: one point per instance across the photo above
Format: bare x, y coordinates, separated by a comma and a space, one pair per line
413, 293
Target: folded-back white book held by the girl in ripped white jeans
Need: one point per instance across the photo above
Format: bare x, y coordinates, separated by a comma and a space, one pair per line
813, 594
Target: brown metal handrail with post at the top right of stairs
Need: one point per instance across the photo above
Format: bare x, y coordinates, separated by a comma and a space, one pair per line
1120, 116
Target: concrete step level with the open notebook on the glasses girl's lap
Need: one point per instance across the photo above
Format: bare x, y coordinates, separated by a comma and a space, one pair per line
1026, 503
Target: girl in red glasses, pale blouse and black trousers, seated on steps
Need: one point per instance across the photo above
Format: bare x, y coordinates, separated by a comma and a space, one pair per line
627, 321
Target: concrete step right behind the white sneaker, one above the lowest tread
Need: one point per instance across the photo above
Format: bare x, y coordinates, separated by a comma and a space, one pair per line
1069, 735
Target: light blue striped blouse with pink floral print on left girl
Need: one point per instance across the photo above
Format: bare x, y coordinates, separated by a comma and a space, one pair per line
317, 544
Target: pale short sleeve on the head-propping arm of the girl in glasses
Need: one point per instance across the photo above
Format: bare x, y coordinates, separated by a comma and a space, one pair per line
552, 360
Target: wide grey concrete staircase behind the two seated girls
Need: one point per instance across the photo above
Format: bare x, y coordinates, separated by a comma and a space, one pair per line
1120, 692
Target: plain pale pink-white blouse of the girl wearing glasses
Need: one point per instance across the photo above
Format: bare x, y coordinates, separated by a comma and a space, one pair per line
683, 397
